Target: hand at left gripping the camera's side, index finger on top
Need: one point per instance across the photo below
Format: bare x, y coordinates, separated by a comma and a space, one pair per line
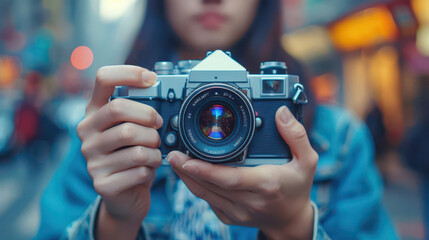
119, 143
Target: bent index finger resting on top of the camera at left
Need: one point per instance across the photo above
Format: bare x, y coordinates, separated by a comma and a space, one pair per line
122, 75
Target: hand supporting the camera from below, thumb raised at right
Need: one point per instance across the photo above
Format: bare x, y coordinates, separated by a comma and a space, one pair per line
275, 199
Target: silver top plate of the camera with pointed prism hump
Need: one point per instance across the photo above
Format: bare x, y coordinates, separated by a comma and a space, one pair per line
217, 67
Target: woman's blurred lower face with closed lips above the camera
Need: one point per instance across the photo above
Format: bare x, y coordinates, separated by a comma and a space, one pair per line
210, 24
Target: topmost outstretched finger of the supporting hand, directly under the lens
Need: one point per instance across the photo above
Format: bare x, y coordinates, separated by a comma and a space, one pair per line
232, 178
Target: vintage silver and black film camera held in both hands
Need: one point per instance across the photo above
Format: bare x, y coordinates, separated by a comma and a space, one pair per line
214, 110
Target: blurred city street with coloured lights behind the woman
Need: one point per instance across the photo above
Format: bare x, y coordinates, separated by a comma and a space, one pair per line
370, 56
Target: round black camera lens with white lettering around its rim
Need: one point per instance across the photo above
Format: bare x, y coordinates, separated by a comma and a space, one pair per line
216, 122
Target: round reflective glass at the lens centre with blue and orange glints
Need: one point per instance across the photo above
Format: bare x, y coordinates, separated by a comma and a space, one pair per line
217, 122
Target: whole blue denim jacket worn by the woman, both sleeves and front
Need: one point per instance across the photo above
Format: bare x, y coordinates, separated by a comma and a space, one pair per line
346, 192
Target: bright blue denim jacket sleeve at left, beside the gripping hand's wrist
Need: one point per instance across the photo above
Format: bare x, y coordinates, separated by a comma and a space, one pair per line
69, 193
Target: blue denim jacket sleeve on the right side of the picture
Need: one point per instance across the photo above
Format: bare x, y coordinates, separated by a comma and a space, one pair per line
356, 207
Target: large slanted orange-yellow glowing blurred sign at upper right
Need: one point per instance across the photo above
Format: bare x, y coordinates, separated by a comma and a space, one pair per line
364, 29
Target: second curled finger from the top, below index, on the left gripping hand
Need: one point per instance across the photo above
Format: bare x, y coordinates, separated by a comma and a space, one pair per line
123, 135
